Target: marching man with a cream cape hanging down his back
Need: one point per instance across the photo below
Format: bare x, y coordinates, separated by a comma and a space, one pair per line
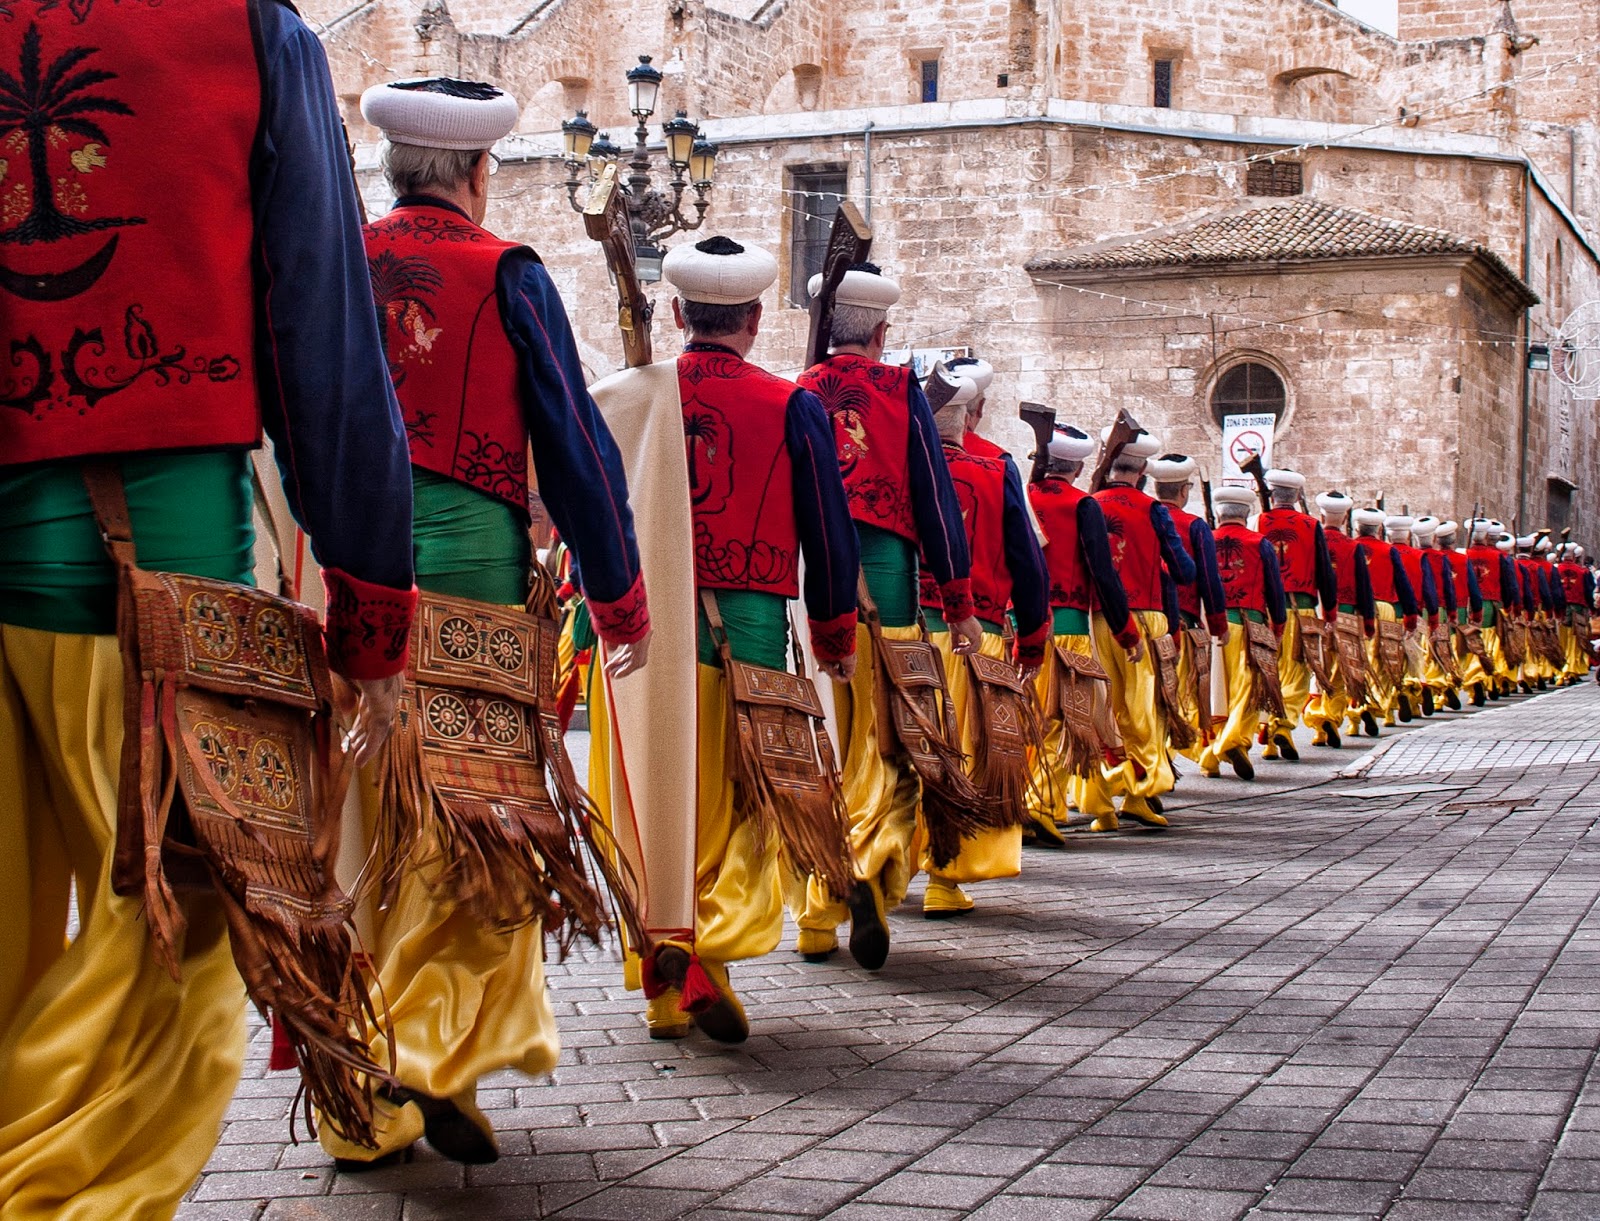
735, 478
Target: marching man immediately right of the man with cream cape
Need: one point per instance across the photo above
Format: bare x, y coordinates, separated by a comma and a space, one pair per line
902, 498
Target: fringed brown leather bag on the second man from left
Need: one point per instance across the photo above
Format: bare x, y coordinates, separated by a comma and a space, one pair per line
476, 785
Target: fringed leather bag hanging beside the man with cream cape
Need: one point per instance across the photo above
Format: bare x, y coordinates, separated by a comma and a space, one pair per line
785, 774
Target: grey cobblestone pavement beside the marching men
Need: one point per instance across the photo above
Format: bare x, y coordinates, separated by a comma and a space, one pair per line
1364, 995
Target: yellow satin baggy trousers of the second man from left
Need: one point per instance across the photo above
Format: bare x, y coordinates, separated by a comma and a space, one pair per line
463, 1001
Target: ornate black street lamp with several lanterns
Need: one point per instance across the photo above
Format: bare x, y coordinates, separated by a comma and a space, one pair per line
655, 215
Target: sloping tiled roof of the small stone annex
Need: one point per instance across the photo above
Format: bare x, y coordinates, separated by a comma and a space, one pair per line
1270, 233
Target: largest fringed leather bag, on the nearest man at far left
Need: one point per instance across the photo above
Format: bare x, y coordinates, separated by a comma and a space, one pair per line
233, 783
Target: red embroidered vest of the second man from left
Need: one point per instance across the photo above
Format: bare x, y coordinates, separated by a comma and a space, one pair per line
454, 367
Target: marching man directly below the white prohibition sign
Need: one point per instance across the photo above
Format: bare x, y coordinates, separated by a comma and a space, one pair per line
1255, 594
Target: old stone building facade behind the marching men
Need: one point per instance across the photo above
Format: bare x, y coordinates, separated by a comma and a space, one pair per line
1004, 148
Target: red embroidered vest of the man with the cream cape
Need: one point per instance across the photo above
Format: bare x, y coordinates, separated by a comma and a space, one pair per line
742, 479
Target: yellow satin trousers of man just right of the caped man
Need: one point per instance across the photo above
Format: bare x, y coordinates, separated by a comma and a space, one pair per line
881, 793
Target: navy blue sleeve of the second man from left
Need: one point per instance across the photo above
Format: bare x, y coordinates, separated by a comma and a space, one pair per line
575, 457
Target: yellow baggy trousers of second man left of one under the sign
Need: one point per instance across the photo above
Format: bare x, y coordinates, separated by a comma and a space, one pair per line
1148, 771
